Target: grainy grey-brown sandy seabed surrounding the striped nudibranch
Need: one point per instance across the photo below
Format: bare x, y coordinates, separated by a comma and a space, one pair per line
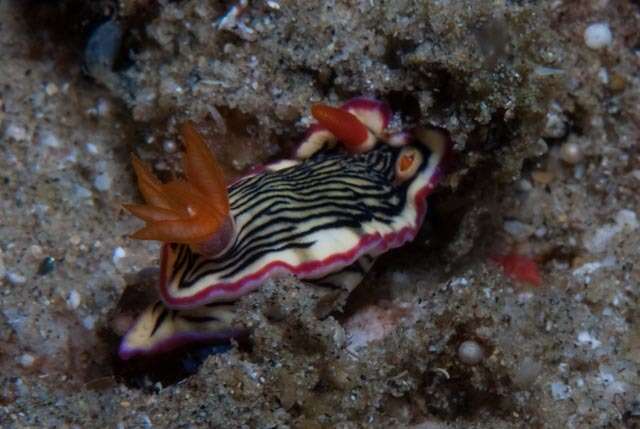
543, 109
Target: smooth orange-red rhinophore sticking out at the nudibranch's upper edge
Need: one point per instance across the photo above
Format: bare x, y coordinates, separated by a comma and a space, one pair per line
345, 126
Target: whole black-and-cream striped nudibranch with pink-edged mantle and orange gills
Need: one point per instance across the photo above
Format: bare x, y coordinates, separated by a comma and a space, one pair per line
352, 191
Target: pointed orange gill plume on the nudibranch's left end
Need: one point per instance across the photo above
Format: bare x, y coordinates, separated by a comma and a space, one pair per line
193, 211
